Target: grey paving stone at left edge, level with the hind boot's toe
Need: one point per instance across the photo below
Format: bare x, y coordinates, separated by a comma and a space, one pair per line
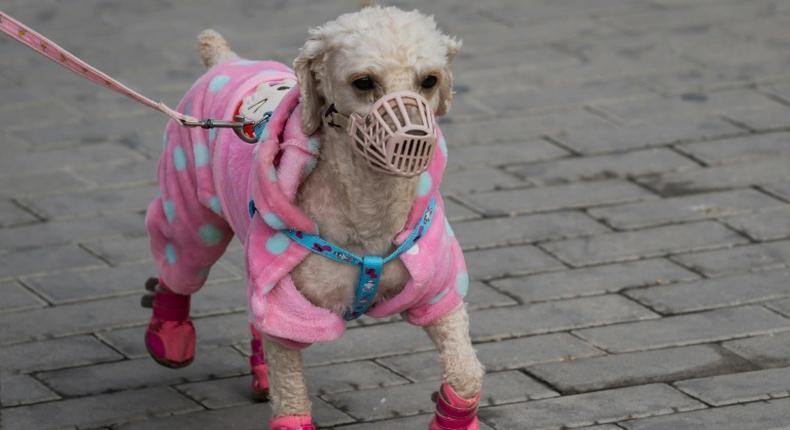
55, 354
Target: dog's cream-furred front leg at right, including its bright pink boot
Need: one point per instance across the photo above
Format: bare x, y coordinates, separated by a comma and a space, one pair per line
459, 396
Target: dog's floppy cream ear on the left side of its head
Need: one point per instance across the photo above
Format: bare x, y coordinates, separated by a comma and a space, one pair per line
310, 56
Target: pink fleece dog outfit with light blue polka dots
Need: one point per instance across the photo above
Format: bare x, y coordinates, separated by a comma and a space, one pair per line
207, 179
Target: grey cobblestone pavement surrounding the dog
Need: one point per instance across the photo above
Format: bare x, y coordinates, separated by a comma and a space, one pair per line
620, 180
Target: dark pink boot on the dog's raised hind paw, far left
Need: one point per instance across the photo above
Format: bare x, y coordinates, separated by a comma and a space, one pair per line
170, 338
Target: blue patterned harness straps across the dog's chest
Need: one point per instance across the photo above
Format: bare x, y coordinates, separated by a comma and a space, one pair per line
370, 266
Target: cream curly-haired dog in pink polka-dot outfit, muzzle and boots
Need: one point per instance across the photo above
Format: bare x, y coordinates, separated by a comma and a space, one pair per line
337, 204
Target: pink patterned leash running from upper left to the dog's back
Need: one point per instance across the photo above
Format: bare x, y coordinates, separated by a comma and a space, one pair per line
35, 41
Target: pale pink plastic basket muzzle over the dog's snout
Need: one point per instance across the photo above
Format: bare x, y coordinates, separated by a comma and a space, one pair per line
397, 136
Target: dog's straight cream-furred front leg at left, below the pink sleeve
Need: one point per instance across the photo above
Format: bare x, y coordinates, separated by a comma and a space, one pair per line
290, 402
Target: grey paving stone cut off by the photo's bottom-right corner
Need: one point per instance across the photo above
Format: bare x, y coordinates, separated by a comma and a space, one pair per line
772, 415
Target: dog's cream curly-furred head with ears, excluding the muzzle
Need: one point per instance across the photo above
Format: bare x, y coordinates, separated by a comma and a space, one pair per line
356, 59
